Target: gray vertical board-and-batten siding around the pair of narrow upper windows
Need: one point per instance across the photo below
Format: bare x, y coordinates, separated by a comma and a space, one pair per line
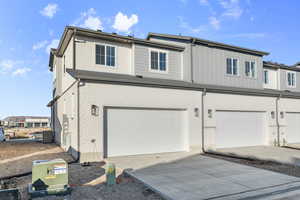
210, 68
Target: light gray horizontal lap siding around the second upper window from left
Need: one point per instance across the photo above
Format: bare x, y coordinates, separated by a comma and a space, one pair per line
142, 64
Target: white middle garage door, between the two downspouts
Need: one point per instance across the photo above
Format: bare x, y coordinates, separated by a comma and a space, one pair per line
240, 129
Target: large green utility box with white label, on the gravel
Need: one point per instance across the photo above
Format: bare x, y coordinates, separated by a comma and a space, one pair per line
49, 177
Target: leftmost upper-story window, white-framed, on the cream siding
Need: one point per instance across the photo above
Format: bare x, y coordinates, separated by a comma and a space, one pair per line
105, 55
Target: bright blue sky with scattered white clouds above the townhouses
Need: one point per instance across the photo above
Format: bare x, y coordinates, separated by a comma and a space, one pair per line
30, 28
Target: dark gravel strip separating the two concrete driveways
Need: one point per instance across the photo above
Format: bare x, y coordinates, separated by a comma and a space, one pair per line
268, 165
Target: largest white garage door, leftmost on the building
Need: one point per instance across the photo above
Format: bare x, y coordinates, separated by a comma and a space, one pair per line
145, 131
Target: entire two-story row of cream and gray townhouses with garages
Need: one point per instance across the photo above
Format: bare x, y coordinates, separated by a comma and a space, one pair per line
118, 95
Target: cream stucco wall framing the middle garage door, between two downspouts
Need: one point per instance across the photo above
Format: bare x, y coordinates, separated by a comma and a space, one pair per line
229, 102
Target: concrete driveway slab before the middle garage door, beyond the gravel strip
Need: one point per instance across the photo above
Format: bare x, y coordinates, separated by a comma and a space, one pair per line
266, 153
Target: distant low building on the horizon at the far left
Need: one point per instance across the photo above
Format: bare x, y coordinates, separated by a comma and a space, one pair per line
27, 121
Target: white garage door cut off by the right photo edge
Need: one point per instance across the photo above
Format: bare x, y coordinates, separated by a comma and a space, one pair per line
293, 127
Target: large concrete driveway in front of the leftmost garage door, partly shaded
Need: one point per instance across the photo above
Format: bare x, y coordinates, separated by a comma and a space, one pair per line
185, 176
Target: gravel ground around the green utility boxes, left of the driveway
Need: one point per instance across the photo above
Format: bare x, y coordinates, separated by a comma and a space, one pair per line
127, 189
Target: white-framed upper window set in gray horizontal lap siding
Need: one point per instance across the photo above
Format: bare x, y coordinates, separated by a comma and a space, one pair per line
158, 61
